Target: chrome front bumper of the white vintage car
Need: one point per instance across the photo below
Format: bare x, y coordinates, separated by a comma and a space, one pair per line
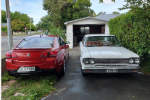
103, 68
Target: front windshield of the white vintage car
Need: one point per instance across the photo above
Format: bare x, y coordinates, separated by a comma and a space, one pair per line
96, 41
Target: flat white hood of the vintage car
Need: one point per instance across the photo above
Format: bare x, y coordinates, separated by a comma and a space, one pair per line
110, 52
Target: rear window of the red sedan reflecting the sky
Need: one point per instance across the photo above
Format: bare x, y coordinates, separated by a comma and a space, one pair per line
36, 42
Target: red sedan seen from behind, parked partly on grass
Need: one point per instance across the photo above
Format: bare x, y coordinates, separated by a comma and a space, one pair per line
38, 54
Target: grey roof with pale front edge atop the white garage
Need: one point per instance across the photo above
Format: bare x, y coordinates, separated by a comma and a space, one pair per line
105, 17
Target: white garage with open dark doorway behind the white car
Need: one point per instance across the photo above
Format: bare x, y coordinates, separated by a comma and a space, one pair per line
76, 29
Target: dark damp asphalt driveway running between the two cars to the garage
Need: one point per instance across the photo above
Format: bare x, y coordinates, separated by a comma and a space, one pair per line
73, 86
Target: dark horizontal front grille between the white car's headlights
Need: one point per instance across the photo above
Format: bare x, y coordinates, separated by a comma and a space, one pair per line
111, 60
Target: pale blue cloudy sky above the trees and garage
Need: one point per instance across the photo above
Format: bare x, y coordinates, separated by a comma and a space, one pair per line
34, 8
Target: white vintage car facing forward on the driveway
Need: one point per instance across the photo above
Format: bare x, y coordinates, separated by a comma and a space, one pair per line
104, 54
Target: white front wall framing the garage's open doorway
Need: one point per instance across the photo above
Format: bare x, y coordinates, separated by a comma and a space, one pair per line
69, 28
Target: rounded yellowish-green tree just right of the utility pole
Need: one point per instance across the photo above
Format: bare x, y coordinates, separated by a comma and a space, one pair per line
17, 25
